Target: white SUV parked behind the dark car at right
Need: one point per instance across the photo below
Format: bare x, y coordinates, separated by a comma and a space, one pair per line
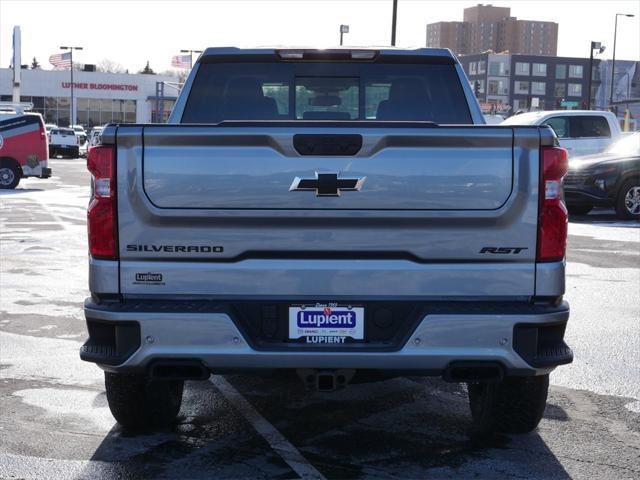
581, 132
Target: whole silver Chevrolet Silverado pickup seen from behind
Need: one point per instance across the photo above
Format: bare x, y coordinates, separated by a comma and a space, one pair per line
341, 214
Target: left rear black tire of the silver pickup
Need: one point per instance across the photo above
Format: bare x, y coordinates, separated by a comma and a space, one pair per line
138, 403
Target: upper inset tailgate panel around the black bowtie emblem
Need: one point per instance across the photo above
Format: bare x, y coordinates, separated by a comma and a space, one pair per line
408, 169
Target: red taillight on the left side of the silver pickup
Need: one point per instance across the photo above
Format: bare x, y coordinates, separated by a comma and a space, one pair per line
102, 222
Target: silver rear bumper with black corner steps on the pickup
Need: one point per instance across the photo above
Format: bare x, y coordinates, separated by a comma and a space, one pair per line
524, 339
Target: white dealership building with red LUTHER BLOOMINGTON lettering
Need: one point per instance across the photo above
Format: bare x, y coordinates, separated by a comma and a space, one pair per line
99, 97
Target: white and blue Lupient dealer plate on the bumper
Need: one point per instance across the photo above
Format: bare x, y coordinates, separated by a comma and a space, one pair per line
326, 323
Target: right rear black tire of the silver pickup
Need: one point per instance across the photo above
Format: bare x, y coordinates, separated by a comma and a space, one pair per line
515, 405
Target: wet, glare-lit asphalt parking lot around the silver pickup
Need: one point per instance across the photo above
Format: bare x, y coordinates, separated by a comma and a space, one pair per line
55, 423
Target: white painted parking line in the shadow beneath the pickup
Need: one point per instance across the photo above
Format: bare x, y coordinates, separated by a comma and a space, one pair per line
274, 438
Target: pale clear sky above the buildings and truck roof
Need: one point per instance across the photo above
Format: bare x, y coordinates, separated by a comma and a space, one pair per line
130, 32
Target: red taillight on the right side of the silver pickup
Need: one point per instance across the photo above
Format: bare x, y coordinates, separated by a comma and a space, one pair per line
553, 217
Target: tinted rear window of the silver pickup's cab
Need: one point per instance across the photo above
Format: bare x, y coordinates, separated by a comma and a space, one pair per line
326, 91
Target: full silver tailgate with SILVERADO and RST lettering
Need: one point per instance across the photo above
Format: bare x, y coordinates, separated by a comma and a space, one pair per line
441, 212
